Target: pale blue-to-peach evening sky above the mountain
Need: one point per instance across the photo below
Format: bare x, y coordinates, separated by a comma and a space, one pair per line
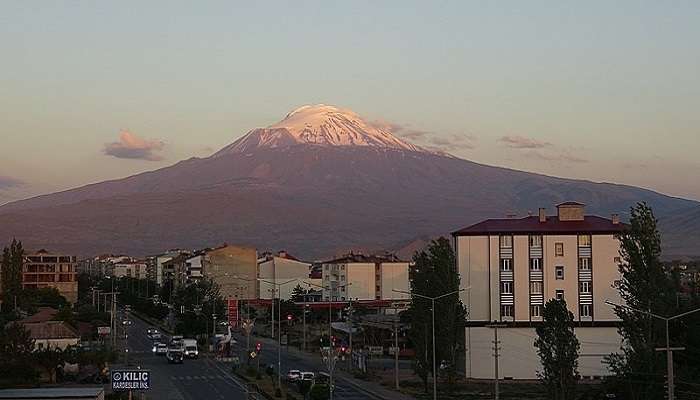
606, 91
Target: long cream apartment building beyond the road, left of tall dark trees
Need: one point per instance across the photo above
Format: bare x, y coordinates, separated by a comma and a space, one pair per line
361, 277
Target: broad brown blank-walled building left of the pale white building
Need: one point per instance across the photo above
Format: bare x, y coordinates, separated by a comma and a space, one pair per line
234, 269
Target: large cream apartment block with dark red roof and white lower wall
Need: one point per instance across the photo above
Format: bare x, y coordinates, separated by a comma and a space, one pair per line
514, 265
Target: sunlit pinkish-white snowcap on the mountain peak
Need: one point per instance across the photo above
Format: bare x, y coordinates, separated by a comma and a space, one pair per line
318, 124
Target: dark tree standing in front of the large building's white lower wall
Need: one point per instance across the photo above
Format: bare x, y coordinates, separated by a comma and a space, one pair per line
558, 347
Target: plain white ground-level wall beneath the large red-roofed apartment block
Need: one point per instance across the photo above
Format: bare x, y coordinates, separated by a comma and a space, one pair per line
518, 356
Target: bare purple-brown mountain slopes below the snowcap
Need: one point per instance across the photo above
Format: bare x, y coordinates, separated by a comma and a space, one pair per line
313, 199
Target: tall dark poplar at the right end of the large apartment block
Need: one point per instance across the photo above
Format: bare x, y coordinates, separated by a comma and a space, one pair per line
645, 285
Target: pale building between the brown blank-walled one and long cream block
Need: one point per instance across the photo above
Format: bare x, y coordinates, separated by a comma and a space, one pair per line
280, 268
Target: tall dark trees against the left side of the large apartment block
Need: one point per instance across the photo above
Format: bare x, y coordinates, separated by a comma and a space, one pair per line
434, 273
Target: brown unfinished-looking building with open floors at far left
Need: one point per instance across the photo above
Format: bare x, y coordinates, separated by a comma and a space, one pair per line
43, 269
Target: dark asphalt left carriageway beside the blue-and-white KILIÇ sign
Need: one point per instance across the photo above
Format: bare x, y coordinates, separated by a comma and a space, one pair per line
202, 378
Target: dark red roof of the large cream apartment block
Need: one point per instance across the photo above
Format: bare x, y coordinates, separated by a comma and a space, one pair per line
531, 225
